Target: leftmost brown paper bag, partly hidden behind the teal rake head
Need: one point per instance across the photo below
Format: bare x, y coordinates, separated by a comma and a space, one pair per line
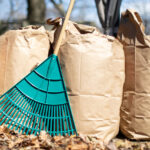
20, 52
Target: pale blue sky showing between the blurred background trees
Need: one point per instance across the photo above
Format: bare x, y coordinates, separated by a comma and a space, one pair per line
88, 9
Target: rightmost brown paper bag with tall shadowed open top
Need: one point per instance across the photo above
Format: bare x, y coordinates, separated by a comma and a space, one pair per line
135, 110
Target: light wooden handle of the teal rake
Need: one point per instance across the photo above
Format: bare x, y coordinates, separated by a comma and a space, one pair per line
58, 43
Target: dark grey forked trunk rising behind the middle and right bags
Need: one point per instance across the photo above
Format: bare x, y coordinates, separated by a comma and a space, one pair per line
109, 15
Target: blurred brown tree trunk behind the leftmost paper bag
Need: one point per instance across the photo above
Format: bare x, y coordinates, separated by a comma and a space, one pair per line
36, 11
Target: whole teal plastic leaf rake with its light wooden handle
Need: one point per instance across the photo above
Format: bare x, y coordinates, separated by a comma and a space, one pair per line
40, 101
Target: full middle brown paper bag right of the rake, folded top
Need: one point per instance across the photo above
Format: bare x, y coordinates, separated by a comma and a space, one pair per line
93, 69
